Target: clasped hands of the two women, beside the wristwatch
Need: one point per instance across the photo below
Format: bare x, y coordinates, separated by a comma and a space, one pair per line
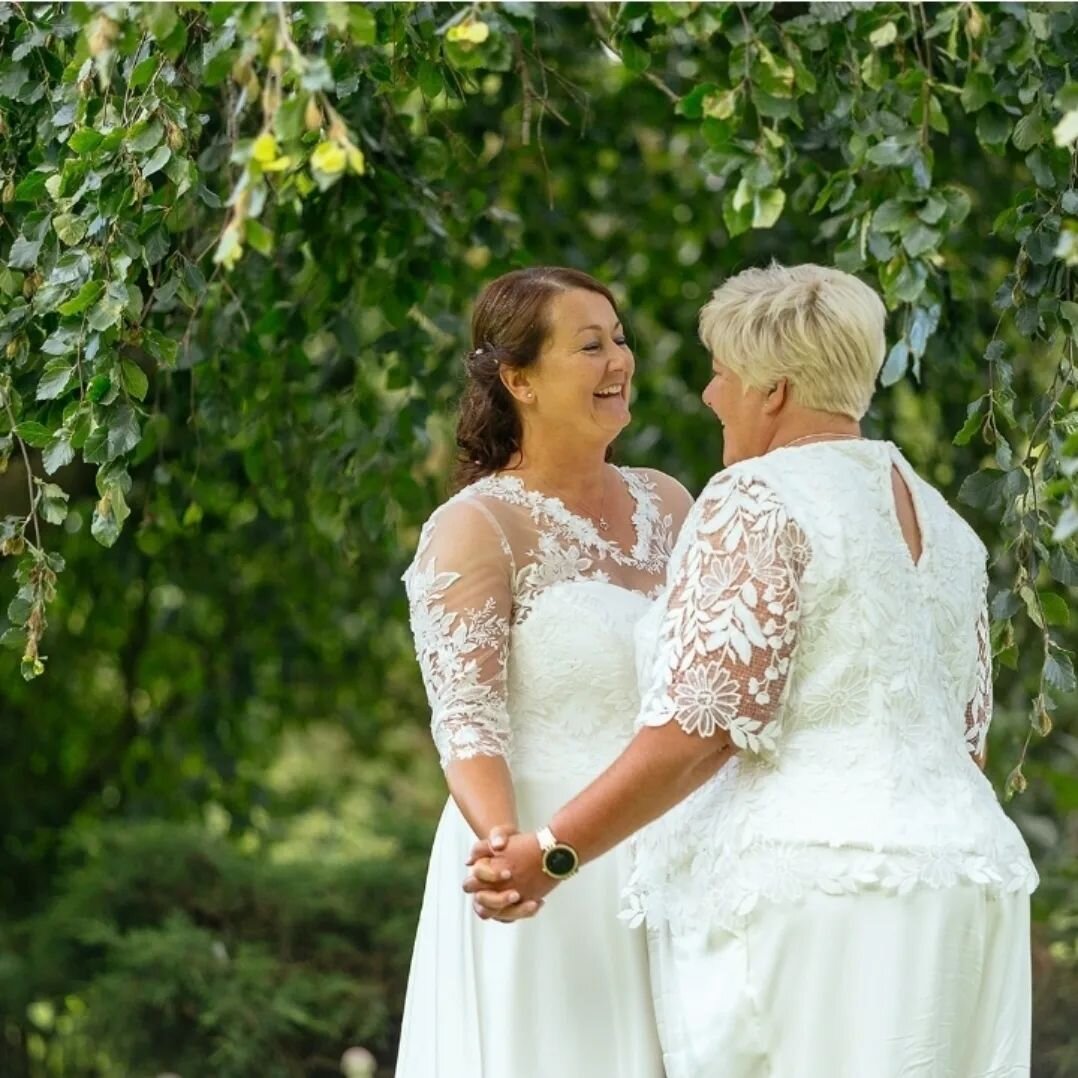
506, 878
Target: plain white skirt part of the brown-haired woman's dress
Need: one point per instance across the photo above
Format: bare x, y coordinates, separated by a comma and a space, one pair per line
565, 993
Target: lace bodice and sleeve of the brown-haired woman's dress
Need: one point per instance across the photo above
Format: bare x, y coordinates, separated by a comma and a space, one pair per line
523, 616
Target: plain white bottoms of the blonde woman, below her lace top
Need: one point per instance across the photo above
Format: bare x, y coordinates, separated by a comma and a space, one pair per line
931, 985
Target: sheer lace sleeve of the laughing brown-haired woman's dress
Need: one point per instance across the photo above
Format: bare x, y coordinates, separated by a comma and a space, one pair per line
460, 601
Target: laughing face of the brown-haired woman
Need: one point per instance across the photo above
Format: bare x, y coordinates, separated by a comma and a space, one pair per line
583, 379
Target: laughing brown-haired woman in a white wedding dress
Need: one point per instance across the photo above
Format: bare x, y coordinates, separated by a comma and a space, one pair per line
524, 593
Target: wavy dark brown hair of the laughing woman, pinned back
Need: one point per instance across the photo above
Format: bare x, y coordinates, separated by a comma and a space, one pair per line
510, 326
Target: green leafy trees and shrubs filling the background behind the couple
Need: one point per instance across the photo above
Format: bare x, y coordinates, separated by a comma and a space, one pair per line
241, 244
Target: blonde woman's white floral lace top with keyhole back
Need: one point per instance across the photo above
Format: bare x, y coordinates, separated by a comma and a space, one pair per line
855, 683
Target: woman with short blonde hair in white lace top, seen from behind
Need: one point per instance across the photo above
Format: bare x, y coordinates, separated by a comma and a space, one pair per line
846, 897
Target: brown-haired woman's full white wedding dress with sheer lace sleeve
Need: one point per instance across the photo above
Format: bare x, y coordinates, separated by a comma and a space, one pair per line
523, 616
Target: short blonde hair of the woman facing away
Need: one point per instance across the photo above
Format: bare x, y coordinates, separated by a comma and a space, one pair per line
821, 329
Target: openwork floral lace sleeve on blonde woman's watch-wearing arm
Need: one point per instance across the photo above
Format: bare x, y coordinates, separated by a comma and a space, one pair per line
731, 620
